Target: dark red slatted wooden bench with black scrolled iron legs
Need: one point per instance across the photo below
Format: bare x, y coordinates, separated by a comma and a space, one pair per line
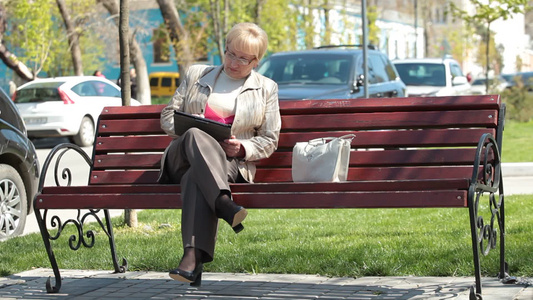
409, 152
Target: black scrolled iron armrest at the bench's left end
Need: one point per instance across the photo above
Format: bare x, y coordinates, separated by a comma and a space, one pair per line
66, 174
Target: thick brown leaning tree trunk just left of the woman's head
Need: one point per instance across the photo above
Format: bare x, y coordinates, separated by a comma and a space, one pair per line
179, 36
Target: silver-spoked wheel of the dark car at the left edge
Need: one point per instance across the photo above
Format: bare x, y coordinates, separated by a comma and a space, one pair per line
13, 203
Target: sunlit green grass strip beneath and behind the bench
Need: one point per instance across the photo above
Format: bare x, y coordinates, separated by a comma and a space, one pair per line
334, 242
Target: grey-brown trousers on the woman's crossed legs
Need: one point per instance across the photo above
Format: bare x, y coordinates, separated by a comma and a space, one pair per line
197, 162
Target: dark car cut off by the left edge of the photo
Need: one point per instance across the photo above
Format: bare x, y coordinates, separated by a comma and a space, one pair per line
19, 170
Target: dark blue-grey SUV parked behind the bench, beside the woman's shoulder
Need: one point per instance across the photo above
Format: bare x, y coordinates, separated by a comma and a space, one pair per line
331, 72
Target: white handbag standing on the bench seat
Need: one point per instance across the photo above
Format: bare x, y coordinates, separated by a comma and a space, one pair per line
322, 160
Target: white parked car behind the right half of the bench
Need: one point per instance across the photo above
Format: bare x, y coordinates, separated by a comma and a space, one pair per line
432, 76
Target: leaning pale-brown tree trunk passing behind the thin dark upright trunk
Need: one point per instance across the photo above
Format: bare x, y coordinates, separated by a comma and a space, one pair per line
135, 52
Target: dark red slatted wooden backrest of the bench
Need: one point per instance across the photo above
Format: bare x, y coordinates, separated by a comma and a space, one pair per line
397, 138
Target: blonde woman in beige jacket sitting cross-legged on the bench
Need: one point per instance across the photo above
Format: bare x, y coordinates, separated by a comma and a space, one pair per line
235, 94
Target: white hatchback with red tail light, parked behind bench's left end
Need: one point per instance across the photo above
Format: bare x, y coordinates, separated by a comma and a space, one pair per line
66, 106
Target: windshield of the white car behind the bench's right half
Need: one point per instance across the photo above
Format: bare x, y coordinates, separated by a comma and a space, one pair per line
422, 74
